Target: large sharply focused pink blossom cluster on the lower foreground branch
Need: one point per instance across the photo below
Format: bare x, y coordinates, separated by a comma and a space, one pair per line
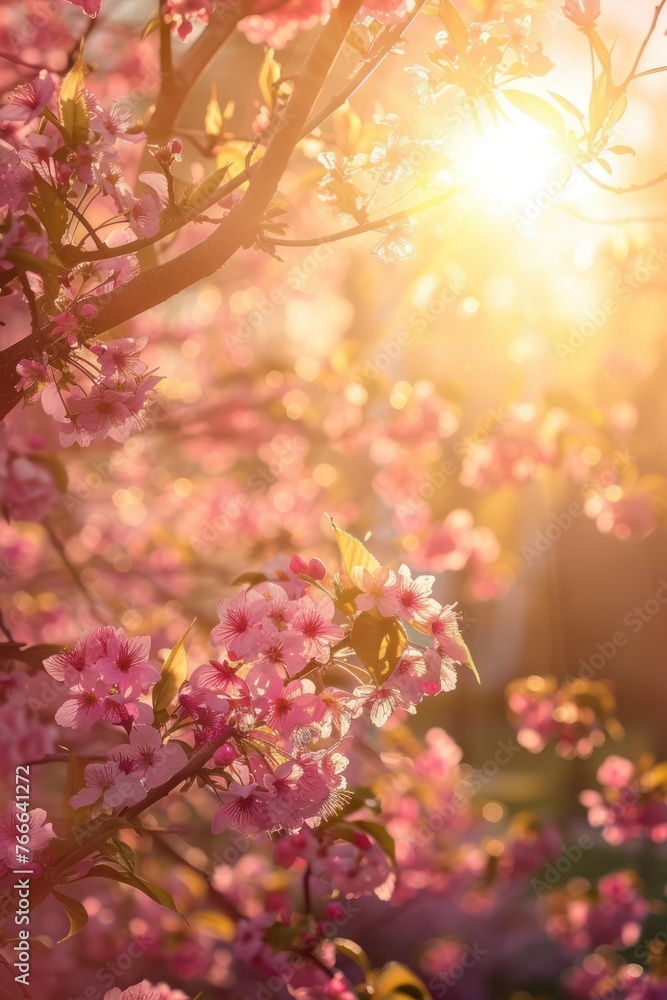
270, 706
